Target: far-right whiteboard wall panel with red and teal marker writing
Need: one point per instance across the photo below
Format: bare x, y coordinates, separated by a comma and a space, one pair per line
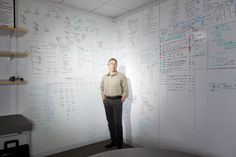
197, 42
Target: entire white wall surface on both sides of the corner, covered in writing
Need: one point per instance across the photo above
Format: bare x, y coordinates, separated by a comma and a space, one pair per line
178, 57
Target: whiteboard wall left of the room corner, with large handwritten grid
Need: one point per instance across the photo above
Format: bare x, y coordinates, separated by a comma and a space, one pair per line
68, 52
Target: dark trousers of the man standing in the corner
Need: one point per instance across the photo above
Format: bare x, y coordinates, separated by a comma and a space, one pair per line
113, 108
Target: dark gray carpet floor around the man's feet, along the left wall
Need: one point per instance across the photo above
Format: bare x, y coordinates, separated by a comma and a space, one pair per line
88, 150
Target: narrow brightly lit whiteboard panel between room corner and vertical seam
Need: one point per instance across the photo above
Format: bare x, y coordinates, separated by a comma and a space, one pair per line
136, 46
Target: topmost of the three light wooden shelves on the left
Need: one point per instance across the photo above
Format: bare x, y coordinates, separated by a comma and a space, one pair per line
6, 30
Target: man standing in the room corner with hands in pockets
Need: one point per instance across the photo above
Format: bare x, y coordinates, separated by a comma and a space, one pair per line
114, 90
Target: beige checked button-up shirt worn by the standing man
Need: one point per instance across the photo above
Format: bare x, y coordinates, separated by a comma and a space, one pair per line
114, 85
